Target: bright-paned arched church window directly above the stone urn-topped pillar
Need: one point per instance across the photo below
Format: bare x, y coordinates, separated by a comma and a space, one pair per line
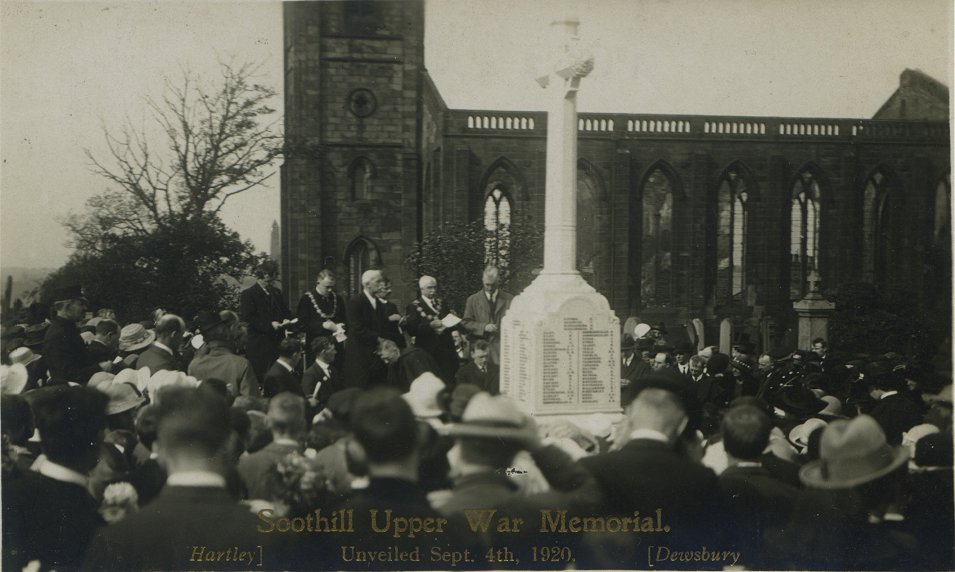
804, 226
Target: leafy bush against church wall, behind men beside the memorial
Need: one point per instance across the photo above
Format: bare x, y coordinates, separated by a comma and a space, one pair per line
455, 255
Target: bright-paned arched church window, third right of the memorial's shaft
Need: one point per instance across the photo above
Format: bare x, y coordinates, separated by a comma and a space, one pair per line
731, 237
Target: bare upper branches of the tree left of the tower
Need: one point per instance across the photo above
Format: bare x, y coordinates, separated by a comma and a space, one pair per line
208, 143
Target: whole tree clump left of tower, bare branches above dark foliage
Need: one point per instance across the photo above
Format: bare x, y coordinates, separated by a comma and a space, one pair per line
154, 238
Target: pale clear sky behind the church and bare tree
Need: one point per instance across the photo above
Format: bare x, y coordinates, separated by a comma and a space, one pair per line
70, 69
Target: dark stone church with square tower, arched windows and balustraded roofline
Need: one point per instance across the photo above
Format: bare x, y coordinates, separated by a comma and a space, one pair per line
679, 217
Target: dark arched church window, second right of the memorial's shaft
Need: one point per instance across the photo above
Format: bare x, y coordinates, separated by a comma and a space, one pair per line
656, 276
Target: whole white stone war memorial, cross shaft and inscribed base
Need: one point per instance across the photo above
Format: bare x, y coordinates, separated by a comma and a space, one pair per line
560, 341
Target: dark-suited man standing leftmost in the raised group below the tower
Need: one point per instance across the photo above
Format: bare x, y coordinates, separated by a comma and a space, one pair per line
263, 308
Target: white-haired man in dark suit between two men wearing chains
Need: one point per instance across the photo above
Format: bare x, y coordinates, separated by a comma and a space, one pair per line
366, 322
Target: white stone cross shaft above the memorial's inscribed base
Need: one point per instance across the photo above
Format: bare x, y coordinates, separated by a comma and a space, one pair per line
562, 81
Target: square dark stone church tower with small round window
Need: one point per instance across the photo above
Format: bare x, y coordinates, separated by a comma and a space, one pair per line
351, 178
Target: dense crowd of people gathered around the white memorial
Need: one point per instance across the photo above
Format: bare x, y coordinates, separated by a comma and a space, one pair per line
353, 434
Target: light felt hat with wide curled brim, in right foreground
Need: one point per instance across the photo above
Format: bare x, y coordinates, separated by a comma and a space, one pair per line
852, 453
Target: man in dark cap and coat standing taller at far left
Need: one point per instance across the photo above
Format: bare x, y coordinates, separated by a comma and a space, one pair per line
64, 349
